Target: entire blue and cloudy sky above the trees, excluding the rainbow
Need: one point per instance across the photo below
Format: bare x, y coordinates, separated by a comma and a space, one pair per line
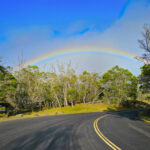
38, 27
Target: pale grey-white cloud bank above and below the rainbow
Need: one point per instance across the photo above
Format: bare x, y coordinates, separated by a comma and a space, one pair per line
123, 35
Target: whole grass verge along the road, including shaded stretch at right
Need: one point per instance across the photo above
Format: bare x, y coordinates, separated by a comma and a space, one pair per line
78, 108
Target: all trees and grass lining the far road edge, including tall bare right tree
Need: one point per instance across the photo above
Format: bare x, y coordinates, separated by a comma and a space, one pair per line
28, 92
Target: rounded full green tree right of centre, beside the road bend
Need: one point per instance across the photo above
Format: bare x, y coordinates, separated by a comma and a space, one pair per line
119, 84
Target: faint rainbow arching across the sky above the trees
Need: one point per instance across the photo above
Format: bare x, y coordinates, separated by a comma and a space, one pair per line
81, 50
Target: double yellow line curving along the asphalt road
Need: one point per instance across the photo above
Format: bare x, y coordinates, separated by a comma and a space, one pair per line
99, 133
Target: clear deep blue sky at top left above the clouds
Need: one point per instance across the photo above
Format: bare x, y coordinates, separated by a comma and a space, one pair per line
58, 14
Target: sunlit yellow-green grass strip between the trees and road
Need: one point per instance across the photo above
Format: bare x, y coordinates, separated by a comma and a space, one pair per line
78, 108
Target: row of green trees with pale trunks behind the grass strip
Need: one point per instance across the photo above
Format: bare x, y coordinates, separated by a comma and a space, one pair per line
30, 89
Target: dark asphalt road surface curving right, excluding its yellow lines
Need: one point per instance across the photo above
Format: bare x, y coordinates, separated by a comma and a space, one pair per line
76, 132
